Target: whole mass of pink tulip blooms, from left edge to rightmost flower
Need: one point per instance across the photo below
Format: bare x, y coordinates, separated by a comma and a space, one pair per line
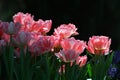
29, 34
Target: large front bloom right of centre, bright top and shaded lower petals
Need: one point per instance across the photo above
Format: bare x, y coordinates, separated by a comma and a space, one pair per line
71, 49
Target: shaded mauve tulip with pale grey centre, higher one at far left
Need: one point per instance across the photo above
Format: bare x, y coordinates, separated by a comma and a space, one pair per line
11, 28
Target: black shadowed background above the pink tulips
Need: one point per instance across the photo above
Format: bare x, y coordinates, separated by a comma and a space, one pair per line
91, 17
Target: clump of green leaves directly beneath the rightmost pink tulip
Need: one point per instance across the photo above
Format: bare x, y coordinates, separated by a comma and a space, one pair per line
99, 66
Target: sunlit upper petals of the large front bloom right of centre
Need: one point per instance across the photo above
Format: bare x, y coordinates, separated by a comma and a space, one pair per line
71, 43
